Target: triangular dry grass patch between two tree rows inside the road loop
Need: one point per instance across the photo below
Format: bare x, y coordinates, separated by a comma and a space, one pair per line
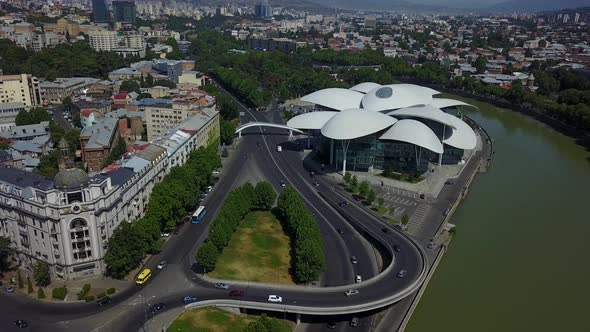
259, 250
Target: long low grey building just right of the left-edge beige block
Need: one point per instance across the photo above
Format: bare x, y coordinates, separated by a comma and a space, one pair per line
56, 91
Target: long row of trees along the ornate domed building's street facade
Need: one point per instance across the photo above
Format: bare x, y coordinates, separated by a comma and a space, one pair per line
170, 200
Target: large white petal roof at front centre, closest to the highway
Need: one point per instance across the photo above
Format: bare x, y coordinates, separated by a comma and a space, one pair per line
355, 123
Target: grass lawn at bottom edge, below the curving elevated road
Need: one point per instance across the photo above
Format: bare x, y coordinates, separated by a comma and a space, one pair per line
215, 320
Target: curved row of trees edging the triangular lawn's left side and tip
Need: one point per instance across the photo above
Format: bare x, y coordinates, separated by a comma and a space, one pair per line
237, 204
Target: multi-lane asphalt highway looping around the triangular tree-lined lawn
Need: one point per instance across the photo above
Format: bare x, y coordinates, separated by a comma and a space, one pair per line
169, 286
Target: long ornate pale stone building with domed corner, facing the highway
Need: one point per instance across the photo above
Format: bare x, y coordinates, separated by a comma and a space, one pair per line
67, 221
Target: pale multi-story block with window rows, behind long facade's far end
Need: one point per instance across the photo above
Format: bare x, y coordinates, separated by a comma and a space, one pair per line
161, 117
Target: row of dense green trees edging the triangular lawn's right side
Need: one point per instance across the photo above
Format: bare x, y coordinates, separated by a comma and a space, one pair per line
309, 261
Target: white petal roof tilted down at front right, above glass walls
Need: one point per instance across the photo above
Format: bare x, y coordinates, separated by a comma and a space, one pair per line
414, 132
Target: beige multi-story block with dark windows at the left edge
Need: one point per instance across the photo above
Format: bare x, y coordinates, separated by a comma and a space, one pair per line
23, 88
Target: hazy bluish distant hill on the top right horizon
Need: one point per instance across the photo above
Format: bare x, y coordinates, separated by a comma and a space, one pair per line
535, 5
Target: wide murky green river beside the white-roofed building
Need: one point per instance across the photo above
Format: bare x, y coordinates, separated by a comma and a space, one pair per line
521, 258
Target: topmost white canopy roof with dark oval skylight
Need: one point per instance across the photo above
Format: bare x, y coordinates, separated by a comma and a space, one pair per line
394, 96
